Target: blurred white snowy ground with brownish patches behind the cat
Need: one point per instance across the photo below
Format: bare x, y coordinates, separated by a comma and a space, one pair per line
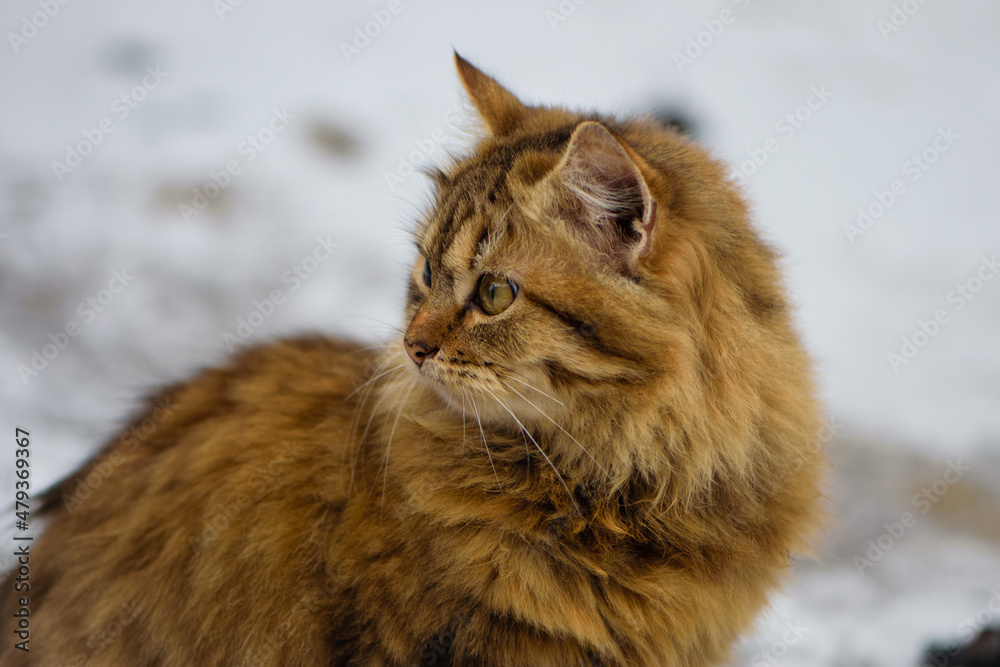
903, 123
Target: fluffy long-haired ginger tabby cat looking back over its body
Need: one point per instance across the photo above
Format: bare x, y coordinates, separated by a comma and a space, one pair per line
596, 443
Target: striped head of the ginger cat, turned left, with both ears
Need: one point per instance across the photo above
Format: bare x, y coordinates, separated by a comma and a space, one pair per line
579, 273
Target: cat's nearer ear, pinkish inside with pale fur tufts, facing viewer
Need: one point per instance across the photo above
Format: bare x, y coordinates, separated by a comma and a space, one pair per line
610, 206
